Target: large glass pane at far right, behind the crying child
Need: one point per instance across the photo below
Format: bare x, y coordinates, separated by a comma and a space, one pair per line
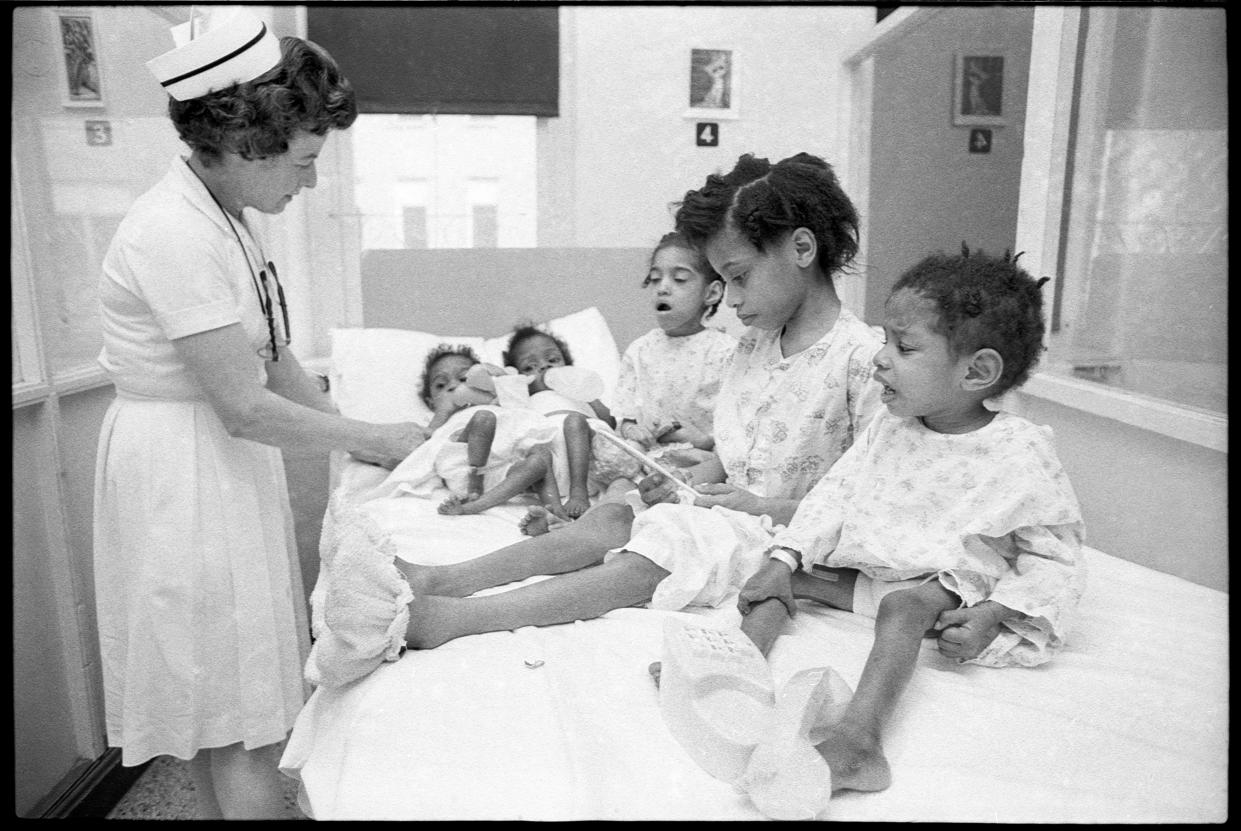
1141, 304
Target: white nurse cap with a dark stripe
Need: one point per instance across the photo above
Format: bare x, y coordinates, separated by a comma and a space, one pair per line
230, 47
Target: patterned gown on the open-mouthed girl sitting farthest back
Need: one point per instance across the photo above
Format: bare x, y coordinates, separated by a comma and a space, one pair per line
666, 380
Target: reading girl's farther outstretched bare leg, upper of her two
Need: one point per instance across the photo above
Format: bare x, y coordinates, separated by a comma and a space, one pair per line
568, 549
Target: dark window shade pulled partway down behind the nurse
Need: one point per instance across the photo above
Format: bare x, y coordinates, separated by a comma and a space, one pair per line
472, 61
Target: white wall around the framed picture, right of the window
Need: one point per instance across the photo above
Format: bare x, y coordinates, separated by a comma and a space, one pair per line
622, 149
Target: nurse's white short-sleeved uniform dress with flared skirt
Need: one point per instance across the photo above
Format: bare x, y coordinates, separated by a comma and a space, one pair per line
203, 627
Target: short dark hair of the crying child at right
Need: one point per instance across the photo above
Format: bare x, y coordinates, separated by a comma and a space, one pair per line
983, 303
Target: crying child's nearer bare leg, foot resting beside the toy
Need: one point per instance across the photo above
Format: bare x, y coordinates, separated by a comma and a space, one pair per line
852, 746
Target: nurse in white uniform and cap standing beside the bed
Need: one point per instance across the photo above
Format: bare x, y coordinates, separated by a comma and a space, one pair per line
202, 618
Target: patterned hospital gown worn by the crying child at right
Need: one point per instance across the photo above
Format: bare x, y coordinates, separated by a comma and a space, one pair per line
991, 513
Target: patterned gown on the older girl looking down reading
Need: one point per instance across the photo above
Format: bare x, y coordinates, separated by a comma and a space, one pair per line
780, 424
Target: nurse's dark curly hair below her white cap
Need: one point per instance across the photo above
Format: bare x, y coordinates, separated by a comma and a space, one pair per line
256, 120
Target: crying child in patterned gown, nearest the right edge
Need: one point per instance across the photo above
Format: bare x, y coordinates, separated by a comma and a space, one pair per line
945, 515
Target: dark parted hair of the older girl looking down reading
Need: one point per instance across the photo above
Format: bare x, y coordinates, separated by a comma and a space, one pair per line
766, 202
